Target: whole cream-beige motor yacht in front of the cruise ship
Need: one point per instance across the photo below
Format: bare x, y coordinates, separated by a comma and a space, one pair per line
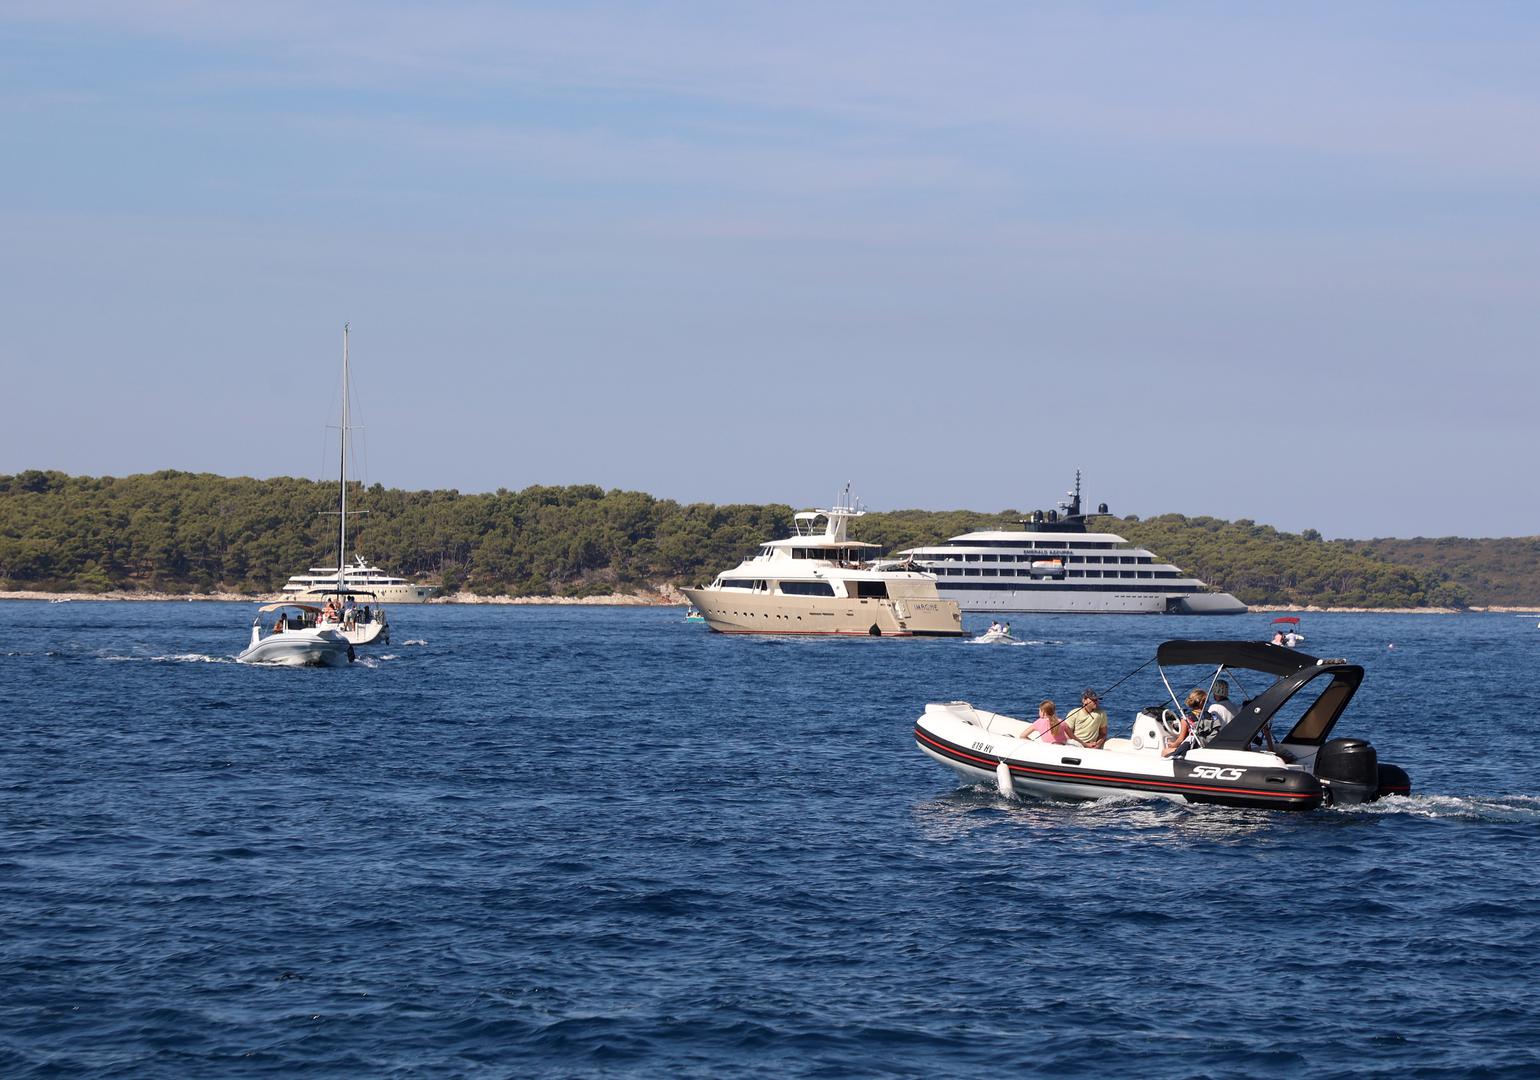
819, 582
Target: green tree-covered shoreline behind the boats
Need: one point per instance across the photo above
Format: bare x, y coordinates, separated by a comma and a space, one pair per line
196, 532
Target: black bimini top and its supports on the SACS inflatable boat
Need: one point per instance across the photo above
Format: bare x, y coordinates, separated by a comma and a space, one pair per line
1293, 671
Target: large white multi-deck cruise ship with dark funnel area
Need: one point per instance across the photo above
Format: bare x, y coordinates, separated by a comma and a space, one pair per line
1057, 565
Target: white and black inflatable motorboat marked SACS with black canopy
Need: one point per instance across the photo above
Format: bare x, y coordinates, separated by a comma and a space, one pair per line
1239, 765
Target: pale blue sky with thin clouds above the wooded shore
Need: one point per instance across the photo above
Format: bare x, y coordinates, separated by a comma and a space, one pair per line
1253, 261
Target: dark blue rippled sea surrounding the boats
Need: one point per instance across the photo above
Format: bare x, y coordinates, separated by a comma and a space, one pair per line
583, 842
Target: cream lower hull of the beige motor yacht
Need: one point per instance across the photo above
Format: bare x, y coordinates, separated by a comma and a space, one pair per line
731, 611
